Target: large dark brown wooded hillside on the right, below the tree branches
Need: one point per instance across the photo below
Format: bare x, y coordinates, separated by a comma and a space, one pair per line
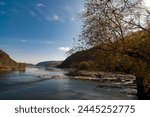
110, 57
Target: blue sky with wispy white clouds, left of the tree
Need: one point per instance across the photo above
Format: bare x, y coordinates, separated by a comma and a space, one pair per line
39, 30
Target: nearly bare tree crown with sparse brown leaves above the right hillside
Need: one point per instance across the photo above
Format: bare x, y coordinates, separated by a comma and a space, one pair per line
106, 21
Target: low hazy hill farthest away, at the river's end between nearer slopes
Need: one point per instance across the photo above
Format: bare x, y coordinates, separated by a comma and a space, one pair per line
49, 63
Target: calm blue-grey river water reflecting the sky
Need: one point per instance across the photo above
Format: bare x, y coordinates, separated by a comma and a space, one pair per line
37, 83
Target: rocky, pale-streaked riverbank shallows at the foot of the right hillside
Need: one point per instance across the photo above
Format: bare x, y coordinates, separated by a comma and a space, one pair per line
108, 80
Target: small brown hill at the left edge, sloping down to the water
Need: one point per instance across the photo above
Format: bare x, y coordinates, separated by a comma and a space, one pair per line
8, 64
